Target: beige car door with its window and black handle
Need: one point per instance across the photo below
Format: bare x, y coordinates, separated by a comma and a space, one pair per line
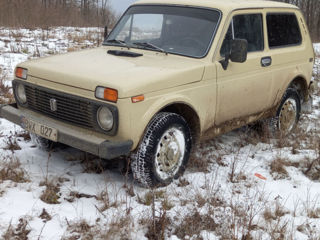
243, 89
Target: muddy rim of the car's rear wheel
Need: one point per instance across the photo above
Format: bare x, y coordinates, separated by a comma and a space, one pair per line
288, 115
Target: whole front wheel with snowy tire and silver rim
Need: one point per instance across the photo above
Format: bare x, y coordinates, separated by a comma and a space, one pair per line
164, 151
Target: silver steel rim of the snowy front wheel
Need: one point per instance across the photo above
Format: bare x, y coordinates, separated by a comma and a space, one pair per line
170, 153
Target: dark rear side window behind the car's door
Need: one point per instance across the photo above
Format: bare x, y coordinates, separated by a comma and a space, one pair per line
283, 30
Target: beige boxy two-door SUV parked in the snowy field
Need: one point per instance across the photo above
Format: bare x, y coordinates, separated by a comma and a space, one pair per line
170, 73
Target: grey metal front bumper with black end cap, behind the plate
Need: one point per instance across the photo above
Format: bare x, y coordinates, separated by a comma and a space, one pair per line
70, 135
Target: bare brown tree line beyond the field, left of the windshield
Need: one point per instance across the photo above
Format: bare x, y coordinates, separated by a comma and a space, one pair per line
47, 13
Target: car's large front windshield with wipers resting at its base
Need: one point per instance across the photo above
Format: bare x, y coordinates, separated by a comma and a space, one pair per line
178, 30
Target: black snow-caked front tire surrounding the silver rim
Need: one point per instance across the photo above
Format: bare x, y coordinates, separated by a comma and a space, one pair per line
143, 163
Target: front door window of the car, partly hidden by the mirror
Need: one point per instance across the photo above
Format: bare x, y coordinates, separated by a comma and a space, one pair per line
247, 27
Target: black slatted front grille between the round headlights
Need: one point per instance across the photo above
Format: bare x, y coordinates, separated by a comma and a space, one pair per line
69, 108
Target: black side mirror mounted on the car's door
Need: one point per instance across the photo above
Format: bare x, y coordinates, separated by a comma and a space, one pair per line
238, 52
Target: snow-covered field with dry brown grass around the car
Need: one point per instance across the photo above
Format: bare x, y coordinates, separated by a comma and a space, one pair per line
237, 186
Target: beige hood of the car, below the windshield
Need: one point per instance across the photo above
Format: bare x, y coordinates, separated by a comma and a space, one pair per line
131, 76
